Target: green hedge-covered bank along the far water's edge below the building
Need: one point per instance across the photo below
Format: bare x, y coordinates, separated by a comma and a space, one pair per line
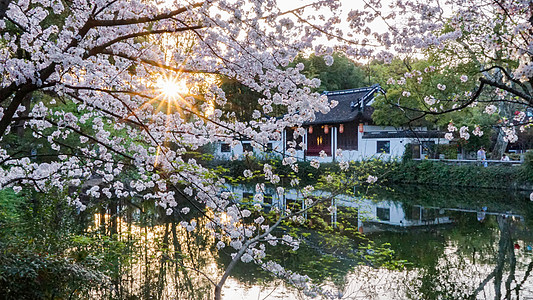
431, 173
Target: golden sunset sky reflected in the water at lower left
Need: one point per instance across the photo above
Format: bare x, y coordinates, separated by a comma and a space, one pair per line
153, 269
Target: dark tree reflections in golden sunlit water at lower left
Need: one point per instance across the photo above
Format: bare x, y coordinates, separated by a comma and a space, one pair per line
167, 261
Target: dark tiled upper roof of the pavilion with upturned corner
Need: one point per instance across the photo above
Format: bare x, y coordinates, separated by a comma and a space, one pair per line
353, 103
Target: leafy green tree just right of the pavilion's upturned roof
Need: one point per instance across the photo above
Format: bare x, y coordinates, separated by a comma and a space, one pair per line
407, 101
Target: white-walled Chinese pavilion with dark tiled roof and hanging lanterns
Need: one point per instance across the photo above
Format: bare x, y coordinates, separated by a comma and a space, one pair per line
348, 126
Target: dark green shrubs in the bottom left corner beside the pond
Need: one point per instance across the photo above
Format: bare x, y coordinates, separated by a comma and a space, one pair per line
44, 253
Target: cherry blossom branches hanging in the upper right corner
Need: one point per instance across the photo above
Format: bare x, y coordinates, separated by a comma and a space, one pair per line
494, 37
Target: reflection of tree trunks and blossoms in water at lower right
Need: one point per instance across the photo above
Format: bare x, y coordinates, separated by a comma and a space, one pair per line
475, 261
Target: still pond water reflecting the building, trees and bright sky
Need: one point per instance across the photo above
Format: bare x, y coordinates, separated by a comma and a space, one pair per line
418, 243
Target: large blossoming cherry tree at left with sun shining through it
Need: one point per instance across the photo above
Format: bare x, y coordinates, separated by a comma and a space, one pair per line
142, 78
